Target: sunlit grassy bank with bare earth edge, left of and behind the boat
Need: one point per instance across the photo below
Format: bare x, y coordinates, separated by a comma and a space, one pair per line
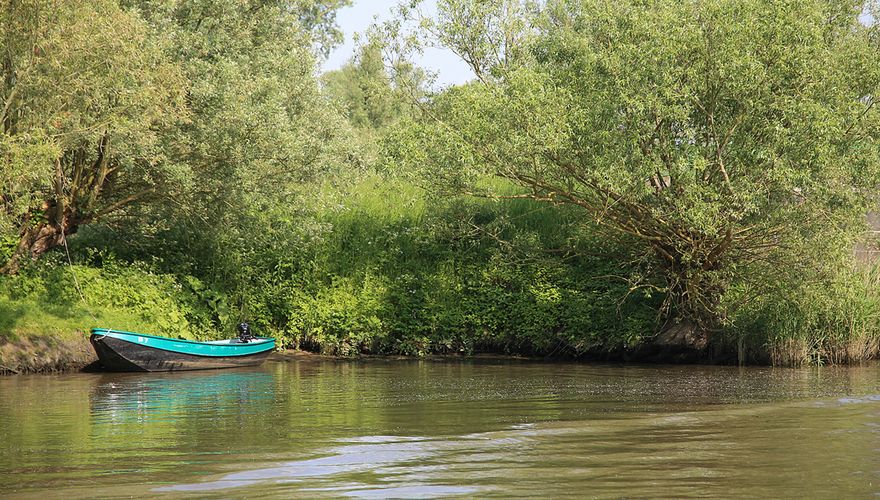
44, 321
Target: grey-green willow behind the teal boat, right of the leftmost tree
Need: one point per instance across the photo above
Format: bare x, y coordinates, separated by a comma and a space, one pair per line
259, 138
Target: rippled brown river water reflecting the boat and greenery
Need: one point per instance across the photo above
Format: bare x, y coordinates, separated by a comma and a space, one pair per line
427, 429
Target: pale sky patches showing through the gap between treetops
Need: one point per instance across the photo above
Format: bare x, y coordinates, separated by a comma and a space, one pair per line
355, 19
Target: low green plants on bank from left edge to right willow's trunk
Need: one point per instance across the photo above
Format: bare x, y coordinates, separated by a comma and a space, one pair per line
381, 274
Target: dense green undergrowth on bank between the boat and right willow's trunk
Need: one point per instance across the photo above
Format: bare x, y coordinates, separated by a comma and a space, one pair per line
392, 276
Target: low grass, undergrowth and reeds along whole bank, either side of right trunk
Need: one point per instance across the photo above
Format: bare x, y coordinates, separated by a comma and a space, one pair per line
386, 271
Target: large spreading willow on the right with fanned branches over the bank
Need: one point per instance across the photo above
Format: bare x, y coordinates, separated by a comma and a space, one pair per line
711, 133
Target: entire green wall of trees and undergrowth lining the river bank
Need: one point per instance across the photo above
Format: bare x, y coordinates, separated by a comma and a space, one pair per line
619, 178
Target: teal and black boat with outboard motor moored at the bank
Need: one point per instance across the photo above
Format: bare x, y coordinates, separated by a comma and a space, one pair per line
128, 351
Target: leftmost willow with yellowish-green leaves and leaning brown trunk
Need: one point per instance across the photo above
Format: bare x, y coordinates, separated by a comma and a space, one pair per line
83, 91
